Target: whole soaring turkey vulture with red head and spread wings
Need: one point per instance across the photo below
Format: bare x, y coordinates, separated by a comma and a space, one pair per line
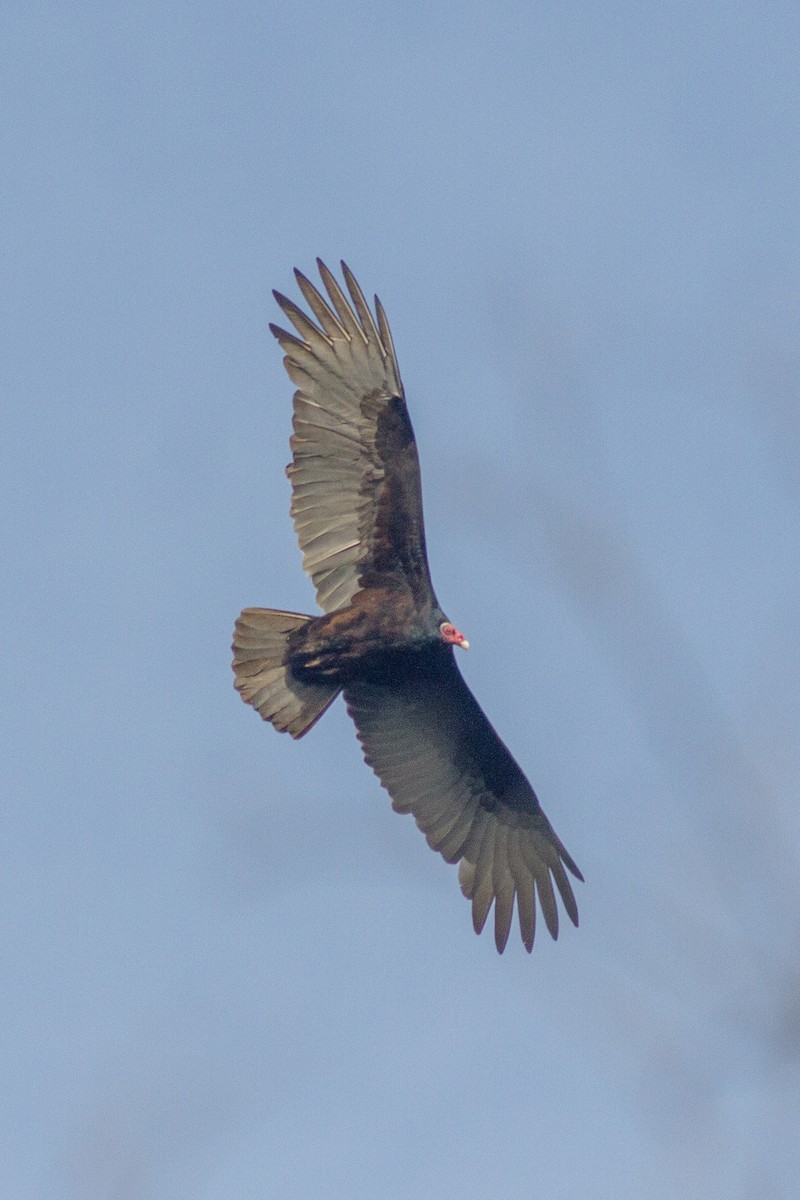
384, 641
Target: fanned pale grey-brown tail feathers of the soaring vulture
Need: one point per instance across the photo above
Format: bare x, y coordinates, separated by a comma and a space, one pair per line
266, 682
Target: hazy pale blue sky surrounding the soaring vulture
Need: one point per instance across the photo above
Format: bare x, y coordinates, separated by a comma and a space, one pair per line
228, 969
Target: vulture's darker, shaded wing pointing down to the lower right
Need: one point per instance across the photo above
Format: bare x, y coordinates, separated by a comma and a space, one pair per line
435, 752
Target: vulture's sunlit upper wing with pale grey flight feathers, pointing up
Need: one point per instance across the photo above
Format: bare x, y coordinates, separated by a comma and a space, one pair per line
357, 500
